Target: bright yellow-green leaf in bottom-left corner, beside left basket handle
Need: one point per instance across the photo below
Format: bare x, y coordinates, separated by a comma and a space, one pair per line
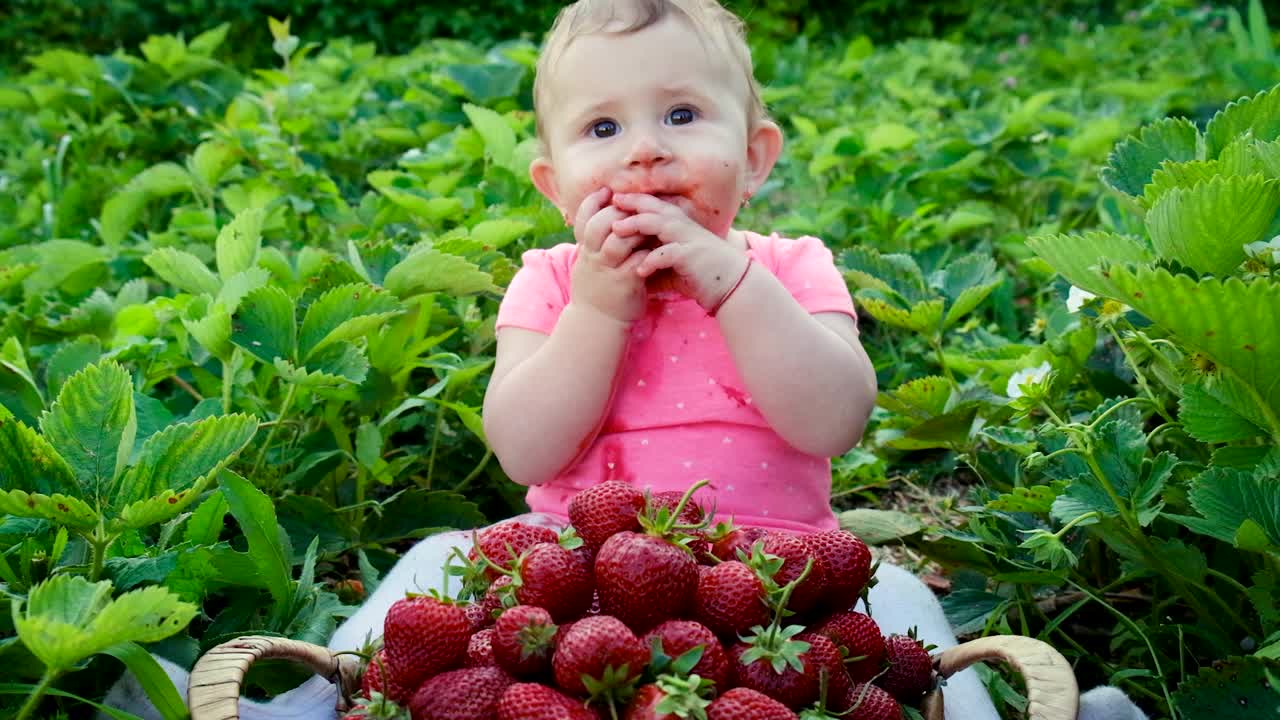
68, 619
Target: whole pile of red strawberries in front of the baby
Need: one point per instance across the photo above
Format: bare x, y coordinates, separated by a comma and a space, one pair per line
643, 612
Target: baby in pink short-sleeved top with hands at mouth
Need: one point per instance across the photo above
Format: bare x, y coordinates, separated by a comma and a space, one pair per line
665, 347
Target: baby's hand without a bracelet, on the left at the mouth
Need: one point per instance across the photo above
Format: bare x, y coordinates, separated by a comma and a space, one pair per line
605, 275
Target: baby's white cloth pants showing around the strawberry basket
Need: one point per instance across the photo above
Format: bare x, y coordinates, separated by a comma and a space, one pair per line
899, 603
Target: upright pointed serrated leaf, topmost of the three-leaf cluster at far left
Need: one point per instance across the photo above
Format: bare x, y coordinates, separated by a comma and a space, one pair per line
93, 426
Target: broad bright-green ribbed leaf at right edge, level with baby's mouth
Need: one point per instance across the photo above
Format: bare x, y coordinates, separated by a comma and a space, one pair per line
1206, 227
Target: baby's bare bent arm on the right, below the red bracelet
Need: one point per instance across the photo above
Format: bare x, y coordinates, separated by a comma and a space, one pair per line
808, 375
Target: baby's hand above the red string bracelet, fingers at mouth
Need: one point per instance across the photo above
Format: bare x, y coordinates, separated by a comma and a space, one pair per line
707, 265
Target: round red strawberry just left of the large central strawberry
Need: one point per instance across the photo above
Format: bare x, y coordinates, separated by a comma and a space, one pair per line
554, 578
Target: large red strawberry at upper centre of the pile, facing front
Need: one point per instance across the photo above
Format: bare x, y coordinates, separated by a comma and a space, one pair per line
644, 580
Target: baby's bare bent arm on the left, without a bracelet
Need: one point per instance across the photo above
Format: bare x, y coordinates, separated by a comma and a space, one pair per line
548, 395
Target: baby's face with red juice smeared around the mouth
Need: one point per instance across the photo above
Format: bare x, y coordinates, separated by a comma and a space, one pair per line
659, 112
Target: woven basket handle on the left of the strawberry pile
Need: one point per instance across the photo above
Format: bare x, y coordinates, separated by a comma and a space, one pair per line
214, 689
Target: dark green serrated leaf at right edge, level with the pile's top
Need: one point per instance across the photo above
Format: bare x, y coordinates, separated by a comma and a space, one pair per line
1227, 499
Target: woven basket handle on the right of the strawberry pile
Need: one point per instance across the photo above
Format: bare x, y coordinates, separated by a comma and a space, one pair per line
1052, 689
